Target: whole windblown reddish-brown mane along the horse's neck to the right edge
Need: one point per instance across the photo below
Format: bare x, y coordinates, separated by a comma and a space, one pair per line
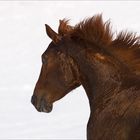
125, 46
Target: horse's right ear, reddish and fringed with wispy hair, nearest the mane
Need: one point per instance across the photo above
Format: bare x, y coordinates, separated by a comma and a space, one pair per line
64, 28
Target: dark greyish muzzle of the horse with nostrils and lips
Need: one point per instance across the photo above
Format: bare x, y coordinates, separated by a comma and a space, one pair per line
42, 105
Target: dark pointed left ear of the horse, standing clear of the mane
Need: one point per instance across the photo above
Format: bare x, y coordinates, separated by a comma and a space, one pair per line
52, 34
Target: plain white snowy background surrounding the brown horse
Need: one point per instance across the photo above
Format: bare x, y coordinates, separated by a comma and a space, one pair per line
22, 41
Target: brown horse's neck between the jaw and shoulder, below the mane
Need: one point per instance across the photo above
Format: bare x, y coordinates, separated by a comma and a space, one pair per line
100, 74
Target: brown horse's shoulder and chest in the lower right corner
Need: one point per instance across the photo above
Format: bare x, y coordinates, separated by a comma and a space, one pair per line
118, 119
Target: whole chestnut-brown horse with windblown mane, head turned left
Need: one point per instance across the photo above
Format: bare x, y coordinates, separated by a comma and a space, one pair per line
108, 68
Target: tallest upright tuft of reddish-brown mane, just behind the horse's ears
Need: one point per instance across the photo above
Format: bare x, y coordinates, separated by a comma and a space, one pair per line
94, 30
